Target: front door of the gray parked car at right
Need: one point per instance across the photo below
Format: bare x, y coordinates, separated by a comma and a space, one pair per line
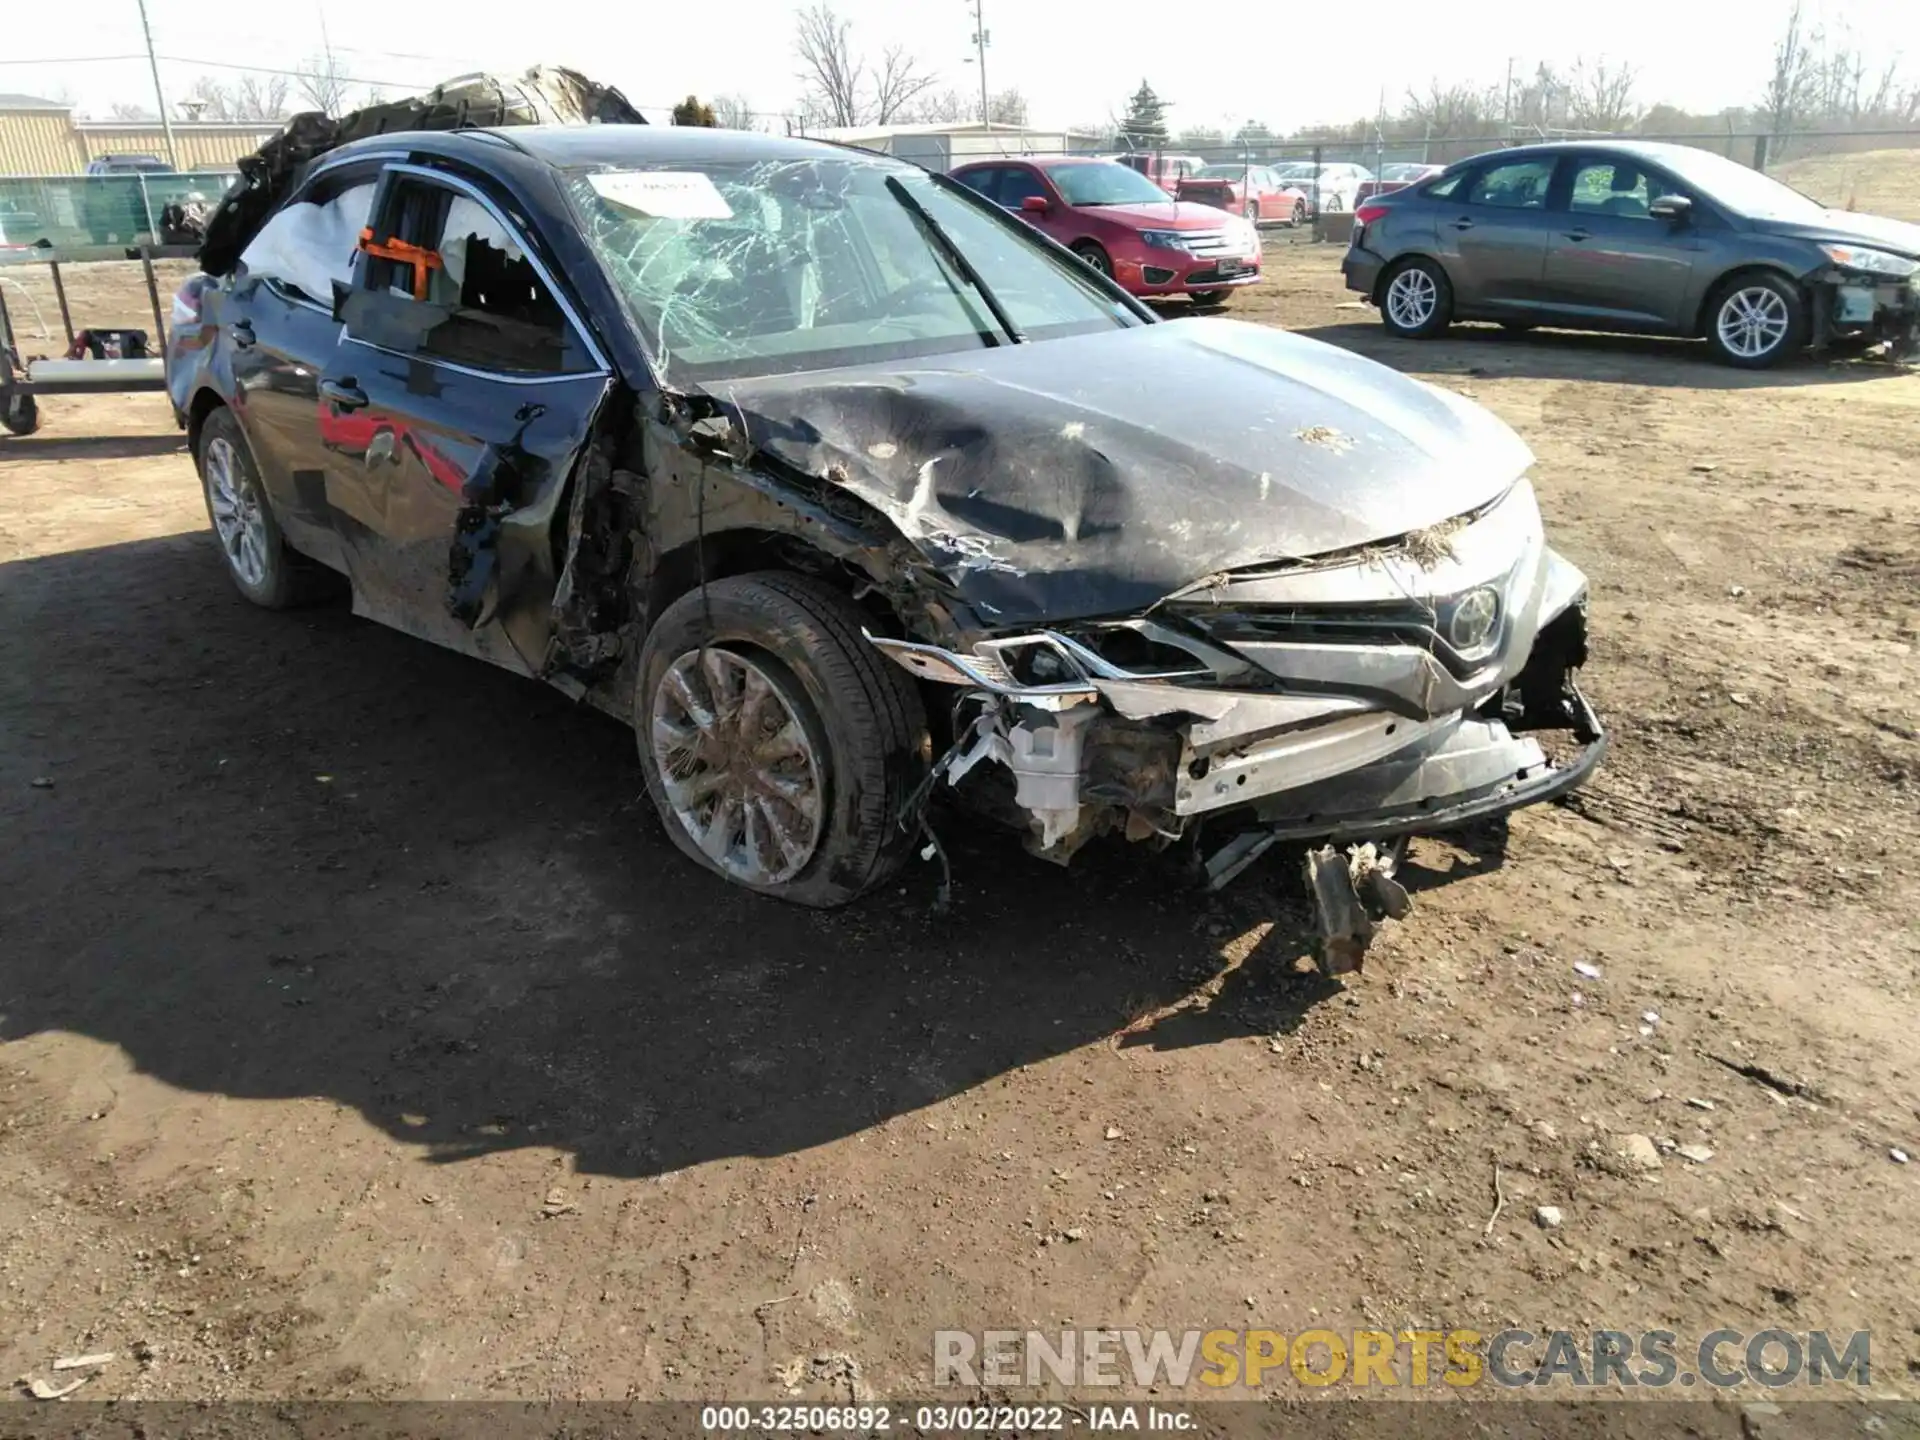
1610, 260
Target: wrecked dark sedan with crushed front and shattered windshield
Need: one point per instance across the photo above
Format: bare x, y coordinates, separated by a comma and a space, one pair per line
846, 489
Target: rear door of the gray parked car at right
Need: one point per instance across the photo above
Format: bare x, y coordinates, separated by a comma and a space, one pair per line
1495, 231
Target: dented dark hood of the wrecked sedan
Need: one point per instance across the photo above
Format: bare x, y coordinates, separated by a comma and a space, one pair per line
1101, 473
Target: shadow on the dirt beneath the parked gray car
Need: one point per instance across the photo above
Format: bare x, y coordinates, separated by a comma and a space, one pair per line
1487, 350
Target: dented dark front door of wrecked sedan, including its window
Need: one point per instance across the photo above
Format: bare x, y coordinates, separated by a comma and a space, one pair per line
462, 396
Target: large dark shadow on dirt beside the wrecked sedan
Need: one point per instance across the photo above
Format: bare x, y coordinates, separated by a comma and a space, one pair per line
300, 855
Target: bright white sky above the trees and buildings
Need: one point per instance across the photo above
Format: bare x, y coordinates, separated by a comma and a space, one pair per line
1282, 64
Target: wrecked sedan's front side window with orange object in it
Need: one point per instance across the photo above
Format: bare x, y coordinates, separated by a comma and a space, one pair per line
481, 300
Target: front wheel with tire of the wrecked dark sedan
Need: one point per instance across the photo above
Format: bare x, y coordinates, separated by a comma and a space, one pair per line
830, 802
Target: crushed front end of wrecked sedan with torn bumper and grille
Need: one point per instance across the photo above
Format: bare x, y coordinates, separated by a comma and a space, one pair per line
1343, 700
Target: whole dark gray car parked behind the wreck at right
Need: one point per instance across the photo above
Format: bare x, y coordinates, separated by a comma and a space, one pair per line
1646, 239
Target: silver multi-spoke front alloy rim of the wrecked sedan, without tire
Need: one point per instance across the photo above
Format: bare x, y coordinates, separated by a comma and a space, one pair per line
738, 765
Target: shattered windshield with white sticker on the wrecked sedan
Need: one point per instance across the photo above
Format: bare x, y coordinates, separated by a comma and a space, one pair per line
798, 266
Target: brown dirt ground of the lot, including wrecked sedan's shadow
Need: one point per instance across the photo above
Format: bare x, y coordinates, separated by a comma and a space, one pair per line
364, 1036
